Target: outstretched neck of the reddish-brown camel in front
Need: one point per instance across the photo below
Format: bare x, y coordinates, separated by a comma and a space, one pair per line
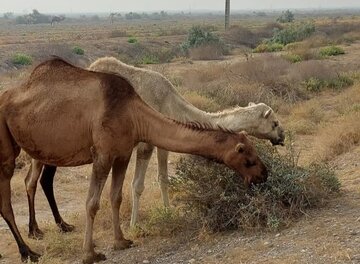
154, 128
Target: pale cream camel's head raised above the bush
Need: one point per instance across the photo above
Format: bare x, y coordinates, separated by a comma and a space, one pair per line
268, 125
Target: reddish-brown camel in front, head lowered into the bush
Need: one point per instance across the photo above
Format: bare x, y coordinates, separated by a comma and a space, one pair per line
68, 116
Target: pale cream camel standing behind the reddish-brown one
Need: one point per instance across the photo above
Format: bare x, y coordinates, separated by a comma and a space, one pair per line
257, 119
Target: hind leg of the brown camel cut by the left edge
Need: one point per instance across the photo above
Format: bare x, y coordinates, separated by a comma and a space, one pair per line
8, 152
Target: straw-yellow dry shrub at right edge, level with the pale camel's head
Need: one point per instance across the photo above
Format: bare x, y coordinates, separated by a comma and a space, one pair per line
338, 137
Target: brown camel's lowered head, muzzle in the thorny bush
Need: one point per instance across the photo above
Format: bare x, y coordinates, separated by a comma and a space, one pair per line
241, 156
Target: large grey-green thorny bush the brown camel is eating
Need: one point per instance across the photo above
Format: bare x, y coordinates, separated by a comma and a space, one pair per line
217, 198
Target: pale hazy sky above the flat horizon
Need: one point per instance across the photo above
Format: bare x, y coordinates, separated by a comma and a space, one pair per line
155, 5
